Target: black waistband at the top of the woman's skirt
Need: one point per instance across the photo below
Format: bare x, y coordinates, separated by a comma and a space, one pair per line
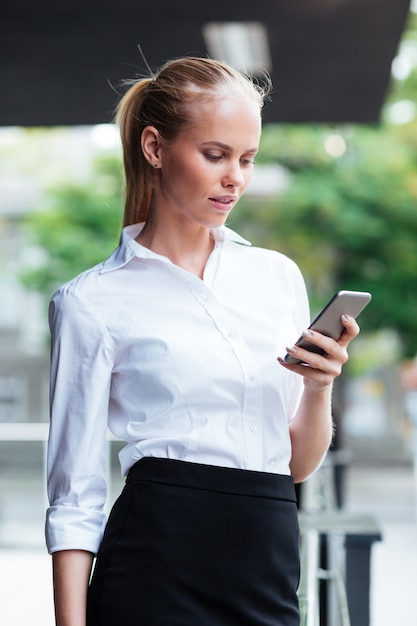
213, 478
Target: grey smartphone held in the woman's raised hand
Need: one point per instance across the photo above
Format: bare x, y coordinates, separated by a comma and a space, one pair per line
328, 321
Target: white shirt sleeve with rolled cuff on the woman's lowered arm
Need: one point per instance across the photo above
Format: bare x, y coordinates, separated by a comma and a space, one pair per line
81, 367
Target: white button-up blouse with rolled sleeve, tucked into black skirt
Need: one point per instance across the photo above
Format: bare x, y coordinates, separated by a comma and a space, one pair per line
175, 366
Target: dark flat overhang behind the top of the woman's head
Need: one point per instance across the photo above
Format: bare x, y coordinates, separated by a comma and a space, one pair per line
331, 59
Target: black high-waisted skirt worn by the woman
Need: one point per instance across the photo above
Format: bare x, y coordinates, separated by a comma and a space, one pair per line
197, 545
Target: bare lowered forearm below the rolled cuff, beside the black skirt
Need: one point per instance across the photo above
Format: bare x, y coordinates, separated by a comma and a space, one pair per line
71, 573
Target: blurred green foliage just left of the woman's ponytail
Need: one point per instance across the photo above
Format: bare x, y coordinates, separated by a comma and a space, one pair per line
78, 228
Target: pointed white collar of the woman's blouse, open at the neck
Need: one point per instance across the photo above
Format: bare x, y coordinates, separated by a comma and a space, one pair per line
129, 248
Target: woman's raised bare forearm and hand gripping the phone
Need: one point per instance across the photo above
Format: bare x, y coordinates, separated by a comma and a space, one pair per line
311, 429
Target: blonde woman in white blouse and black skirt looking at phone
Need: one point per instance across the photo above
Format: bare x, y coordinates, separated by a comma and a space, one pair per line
175, 344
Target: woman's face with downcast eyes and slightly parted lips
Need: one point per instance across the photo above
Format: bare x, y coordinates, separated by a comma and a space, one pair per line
206, 169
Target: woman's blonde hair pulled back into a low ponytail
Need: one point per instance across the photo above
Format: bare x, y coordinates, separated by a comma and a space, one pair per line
163, 102
